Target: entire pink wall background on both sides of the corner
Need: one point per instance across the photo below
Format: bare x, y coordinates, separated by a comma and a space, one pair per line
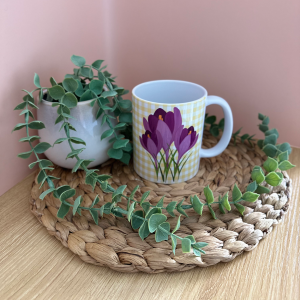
245, 51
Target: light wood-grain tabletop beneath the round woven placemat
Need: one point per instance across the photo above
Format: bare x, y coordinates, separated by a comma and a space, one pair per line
34, 265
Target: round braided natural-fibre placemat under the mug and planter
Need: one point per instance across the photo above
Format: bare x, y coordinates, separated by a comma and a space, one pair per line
113, 243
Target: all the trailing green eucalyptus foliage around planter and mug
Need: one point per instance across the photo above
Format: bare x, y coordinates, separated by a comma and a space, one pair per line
144, 217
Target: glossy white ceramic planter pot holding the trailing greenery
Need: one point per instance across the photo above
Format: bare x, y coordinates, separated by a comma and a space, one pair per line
87, 128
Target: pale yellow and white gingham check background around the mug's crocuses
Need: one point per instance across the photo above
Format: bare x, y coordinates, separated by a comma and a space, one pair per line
192, 113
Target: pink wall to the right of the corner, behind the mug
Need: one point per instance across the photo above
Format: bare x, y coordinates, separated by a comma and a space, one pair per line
247, 52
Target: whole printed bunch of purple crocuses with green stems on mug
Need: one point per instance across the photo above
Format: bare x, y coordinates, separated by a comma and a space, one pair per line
162, 129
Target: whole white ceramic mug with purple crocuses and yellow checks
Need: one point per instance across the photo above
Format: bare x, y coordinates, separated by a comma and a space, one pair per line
168, 124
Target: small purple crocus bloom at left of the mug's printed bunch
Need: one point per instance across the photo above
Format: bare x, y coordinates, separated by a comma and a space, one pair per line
152, 142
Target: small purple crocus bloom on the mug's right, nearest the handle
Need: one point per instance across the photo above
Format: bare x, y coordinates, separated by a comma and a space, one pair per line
185, 140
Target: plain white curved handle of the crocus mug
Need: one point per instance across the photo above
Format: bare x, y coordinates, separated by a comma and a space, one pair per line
228, 127
